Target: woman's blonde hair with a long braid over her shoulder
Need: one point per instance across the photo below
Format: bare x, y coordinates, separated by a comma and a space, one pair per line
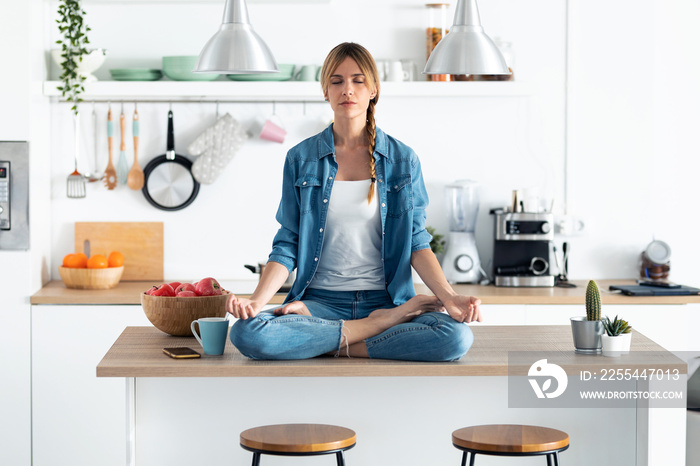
367, 65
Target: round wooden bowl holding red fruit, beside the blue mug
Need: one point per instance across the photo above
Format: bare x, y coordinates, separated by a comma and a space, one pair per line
174, 315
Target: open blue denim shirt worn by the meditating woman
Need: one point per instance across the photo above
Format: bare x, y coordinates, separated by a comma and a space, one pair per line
309, 173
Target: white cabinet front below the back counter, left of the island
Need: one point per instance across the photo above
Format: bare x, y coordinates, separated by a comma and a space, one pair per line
77, 419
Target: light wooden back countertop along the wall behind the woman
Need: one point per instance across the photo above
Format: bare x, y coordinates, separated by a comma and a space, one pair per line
55, 292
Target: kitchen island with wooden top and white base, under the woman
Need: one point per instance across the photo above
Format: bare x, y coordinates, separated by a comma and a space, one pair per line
403, 412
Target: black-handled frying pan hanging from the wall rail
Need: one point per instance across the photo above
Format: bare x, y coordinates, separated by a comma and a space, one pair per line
169, 183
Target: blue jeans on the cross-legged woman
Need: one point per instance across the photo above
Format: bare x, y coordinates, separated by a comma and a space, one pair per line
432, 336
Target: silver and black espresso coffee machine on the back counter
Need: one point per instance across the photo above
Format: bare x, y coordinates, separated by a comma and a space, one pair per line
521, 250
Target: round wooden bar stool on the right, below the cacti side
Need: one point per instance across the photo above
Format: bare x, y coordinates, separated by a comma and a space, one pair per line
510, 440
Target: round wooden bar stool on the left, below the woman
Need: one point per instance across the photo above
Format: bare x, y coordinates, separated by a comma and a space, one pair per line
298, 440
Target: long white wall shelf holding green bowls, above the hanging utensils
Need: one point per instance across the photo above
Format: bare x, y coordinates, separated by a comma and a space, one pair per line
286, 91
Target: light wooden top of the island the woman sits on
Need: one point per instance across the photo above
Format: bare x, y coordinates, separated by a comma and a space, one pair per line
138, 353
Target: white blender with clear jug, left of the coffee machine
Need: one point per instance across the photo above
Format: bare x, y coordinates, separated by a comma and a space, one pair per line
461, 260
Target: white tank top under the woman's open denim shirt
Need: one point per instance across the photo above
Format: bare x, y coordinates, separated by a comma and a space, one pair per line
350, 257
